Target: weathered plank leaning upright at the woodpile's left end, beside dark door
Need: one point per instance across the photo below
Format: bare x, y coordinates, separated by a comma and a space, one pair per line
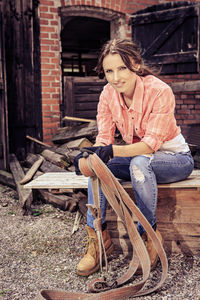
25, 195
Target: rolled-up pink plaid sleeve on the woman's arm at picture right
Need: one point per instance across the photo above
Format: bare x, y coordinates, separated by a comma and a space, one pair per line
161, 123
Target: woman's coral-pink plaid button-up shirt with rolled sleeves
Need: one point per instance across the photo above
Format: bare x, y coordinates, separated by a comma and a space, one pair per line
150, 116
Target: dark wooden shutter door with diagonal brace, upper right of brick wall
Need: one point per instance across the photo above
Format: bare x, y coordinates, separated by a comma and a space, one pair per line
169, 36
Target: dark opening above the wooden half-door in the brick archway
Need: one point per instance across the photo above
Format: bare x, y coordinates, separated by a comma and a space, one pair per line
81, 39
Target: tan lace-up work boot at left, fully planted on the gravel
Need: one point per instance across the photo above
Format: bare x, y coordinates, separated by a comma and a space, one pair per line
90, 262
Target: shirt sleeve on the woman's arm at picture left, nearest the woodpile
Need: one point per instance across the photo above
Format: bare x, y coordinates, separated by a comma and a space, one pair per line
105, 123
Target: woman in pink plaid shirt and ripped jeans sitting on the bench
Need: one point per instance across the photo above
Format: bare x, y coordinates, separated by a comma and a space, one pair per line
141, 106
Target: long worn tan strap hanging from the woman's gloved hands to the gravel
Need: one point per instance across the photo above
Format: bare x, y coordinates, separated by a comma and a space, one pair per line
125, 209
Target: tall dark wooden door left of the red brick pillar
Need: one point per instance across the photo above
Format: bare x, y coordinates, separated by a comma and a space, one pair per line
22, 53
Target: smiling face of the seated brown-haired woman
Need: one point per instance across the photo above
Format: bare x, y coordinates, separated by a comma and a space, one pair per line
118, 75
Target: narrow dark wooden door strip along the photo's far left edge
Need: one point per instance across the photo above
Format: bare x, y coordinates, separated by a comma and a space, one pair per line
3, 102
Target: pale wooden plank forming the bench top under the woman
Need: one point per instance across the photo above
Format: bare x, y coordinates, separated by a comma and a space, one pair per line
71, 180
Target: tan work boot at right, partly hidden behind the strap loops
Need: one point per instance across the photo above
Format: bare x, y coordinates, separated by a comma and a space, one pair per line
151, 250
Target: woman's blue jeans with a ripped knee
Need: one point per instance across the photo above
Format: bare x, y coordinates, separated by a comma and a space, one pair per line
145, 171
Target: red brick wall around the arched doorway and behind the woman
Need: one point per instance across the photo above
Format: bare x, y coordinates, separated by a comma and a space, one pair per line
187, 104
